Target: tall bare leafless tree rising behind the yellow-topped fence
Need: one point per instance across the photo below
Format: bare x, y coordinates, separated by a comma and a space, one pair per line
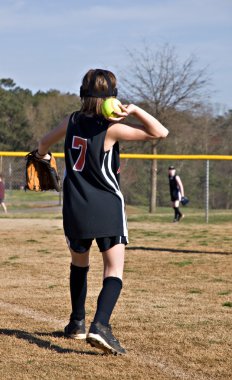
161, 82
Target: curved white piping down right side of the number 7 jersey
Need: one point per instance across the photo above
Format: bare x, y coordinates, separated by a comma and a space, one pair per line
114, 185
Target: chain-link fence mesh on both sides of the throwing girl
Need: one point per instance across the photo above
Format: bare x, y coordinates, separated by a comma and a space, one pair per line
198, 176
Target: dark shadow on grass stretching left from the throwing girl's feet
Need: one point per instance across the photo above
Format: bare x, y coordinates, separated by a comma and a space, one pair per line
45, 343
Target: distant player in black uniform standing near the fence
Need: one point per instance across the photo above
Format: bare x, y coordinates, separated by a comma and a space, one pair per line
176, 192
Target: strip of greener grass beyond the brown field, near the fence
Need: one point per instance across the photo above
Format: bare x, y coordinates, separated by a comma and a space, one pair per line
47, 204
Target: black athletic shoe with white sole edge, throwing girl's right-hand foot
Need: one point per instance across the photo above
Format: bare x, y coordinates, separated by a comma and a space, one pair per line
101, 336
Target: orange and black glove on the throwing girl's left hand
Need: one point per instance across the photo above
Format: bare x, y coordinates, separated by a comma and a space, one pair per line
41, 174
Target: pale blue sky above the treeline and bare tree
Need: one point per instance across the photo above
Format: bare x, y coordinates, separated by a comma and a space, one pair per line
50, 44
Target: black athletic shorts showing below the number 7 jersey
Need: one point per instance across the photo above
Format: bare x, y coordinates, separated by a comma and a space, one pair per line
105, 243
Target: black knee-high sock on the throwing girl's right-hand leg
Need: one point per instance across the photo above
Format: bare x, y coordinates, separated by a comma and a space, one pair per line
107, 299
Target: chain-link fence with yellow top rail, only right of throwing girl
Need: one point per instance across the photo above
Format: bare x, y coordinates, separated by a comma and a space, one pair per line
207, 180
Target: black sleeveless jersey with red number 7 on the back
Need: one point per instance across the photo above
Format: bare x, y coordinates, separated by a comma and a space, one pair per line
93, 205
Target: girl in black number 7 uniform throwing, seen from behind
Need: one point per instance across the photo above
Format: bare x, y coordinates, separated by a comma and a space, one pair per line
93, 205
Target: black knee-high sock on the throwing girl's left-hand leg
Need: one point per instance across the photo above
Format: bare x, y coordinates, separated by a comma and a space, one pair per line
78, 291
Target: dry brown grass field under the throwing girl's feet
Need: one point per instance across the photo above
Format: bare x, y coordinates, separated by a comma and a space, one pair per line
170, 317
